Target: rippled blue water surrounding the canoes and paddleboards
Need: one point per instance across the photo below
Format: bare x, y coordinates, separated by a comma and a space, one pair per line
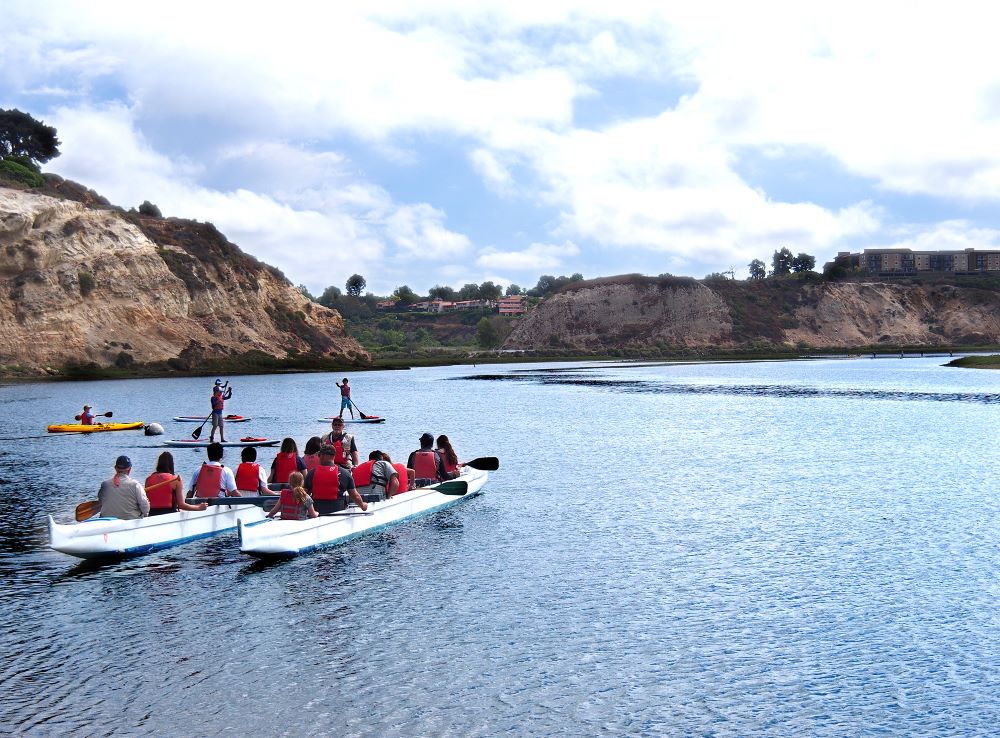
806, 548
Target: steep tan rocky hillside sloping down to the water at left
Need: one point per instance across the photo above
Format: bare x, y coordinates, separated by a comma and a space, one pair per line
83, 282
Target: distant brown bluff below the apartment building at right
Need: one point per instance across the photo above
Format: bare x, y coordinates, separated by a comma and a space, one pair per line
671, 314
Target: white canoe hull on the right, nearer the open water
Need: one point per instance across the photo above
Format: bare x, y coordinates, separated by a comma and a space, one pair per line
291, 537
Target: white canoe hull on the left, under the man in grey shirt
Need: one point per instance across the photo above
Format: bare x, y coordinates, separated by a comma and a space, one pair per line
100, 538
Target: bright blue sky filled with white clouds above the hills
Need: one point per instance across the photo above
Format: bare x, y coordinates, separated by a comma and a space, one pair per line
449, 142
